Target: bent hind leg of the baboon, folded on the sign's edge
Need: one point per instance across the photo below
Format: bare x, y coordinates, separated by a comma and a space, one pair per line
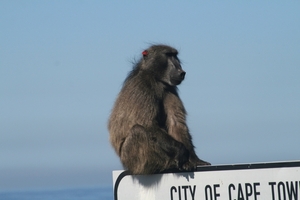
152, 151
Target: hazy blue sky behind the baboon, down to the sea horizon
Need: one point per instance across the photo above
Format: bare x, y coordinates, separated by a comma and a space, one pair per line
62, 64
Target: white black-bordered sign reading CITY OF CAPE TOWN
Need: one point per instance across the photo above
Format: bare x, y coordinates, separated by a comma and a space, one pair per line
261, 181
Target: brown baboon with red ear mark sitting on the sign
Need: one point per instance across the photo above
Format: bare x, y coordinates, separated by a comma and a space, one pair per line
148, 122
